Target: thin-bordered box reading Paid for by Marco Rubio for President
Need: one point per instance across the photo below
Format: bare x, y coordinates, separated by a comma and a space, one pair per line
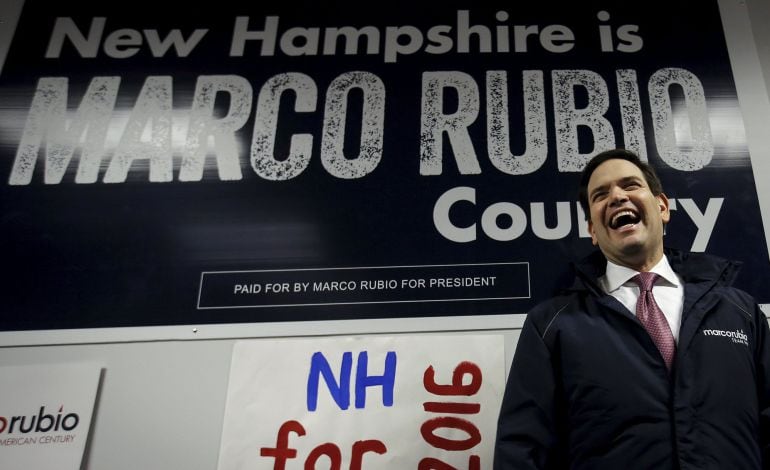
363, 285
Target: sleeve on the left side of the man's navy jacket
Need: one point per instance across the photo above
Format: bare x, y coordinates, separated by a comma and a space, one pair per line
527, 429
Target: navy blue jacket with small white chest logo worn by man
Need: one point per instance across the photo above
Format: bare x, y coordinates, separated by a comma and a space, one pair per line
588, 389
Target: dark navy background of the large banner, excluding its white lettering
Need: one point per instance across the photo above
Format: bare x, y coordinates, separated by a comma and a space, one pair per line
133, 253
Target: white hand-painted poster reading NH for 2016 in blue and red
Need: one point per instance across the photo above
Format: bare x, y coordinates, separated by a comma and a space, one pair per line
375, 402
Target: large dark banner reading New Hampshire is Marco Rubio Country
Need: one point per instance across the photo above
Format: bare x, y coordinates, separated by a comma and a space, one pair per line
300, 161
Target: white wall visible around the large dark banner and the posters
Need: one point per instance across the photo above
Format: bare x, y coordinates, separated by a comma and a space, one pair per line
162, 402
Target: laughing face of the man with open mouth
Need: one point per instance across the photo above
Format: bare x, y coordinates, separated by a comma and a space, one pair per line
626, 219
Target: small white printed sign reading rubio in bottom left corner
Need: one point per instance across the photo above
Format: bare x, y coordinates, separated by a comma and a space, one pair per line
45, 415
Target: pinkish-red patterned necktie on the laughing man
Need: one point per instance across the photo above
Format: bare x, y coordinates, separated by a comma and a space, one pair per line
652, 317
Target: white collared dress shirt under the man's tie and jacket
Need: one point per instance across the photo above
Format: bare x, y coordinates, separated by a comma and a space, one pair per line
668, 290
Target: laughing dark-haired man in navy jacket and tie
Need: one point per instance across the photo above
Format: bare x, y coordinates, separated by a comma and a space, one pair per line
650, 361
